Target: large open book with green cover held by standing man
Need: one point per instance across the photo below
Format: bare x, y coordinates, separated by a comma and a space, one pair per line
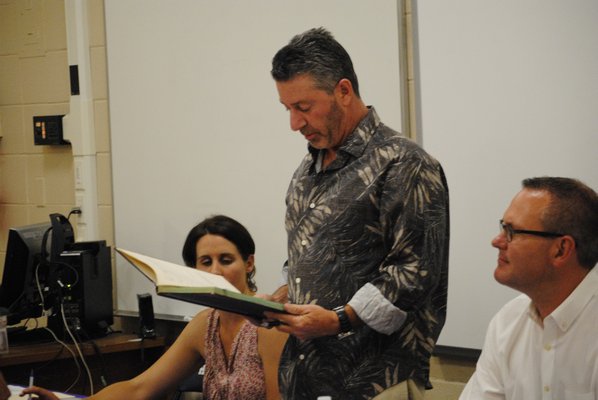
199, 287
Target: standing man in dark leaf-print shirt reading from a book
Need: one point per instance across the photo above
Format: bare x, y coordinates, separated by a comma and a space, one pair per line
368, 233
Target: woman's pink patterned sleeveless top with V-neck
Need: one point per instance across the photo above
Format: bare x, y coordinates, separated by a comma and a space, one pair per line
239, 377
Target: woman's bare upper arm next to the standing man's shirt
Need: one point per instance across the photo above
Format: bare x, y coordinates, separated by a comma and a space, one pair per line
270, 343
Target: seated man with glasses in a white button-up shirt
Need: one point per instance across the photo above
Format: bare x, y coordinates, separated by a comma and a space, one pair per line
544, 343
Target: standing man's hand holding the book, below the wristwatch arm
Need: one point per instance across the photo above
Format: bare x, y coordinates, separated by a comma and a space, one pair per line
306, 321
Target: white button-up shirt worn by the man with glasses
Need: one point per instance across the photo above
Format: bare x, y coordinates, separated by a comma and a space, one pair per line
525, 359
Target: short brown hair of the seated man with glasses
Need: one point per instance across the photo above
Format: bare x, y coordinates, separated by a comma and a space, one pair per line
573, 210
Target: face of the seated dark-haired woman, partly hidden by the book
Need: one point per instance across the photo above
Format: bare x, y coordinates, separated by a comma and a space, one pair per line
217, 255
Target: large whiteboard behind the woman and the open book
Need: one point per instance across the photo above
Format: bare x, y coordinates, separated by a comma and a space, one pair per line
196, 125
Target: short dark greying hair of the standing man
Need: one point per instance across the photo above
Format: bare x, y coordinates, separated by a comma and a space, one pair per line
315, 53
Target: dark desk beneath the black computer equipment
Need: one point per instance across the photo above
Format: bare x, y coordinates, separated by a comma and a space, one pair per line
120, 357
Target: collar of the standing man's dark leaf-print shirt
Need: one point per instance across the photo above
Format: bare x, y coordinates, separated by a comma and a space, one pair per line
356, 142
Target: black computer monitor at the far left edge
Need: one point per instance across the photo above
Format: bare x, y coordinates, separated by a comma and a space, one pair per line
25, 272
